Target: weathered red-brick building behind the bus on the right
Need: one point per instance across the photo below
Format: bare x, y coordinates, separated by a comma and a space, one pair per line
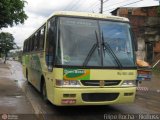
146, 26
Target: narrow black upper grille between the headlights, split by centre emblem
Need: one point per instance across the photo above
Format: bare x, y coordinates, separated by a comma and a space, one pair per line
98, 82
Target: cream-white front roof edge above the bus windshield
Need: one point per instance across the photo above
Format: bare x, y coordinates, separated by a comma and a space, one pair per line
90, 15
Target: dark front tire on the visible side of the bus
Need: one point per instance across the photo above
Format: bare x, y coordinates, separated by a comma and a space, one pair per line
43, 90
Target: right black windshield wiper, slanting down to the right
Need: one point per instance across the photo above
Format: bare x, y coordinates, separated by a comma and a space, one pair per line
106, 47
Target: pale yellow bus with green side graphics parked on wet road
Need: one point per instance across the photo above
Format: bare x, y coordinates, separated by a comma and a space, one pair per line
78, 58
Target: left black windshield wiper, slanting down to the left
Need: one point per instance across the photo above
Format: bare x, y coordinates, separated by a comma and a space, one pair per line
96, 45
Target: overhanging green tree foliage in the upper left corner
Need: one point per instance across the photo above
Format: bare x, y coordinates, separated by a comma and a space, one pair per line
11, 12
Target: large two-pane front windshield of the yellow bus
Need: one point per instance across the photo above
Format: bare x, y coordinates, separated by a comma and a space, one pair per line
89, 42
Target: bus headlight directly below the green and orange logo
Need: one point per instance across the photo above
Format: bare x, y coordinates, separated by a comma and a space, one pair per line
67, 83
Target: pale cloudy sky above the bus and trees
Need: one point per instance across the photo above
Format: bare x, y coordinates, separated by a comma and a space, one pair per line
39, 10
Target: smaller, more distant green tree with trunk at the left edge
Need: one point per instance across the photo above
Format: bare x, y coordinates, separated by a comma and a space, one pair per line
6, 43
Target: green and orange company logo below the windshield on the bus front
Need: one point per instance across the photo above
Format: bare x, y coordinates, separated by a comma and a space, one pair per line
76, 74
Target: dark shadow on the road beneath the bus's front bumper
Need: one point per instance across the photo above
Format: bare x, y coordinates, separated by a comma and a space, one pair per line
80, 112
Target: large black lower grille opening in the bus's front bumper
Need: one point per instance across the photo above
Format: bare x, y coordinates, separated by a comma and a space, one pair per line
99, 97
